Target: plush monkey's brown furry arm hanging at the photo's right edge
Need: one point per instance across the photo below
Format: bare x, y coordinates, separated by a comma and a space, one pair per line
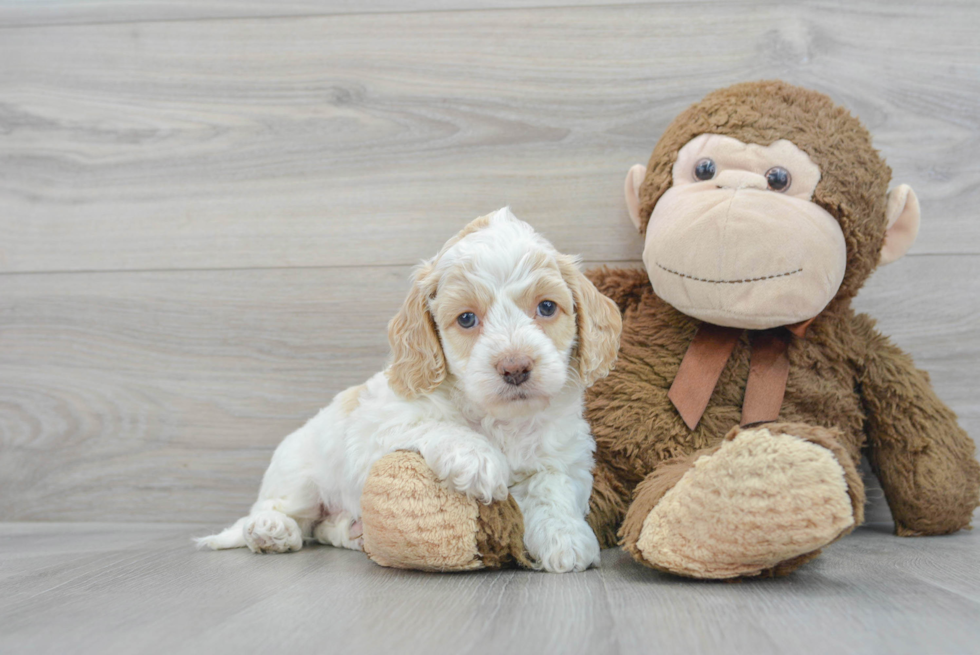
924, 460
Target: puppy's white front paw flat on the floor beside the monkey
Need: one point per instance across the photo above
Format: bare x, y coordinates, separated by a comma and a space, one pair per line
563, 546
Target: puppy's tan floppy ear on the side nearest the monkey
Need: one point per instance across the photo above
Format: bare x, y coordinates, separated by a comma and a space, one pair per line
598, 322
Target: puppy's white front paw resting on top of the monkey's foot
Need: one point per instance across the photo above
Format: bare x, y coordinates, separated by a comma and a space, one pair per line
479, 471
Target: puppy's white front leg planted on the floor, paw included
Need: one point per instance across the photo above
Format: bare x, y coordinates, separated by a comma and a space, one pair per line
556, 534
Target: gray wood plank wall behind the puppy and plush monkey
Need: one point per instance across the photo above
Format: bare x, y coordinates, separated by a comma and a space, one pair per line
208, 211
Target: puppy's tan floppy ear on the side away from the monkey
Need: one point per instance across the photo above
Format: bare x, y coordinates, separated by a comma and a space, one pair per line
417, 365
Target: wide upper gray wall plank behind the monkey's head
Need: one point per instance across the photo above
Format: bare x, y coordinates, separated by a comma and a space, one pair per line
358, 139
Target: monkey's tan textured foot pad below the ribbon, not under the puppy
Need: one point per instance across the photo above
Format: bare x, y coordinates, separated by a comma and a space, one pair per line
764, 502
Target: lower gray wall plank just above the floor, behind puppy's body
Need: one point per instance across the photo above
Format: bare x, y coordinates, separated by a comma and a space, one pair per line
160, 395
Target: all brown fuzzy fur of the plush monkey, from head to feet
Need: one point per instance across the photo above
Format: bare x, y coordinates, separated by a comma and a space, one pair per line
849, 390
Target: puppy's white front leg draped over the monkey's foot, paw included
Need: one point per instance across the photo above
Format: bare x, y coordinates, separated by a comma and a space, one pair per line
463, 459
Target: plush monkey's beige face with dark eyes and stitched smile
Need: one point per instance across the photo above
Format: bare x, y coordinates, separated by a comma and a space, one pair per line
737, 240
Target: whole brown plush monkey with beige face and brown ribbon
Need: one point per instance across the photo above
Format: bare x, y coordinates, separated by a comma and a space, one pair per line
746, 388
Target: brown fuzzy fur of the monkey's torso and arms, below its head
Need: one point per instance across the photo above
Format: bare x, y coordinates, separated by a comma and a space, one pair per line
844, 375
